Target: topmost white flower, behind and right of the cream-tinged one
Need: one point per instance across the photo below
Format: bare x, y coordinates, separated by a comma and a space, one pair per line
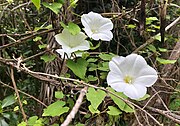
97, 27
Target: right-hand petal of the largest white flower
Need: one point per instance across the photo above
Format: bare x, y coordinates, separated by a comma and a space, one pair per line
147, 77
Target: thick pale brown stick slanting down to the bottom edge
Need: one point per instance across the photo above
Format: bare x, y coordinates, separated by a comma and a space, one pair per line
75, 108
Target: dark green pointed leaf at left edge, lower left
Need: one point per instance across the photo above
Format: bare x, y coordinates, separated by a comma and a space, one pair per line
8, 101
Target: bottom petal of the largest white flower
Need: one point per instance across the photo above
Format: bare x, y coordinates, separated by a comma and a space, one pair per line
135, 91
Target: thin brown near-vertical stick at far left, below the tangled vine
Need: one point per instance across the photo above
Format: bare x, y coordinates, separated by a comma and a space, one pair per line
17, 94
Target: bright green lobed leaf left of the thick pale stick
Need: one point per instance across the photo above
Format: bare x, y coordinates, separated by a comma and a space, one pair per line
55, 109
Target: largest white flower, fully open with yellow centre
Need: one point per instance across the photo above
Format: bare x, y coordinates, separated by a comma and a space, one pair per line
131, 75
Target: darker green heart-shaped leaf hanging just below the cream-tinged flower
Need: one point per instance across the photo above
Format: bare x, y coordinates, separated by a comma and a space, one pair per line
79, 68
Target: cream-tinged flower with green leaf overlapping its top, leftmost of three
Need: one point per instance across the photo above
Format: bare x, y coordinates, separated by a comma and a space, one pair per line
71, 43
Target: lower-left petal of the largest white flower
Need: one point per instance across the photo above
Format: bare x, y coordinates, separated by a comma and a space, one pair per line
116, 81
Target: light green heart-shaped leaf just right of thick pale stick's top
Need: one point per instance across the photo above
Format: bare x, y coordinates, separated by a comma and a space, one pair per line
95, 97
